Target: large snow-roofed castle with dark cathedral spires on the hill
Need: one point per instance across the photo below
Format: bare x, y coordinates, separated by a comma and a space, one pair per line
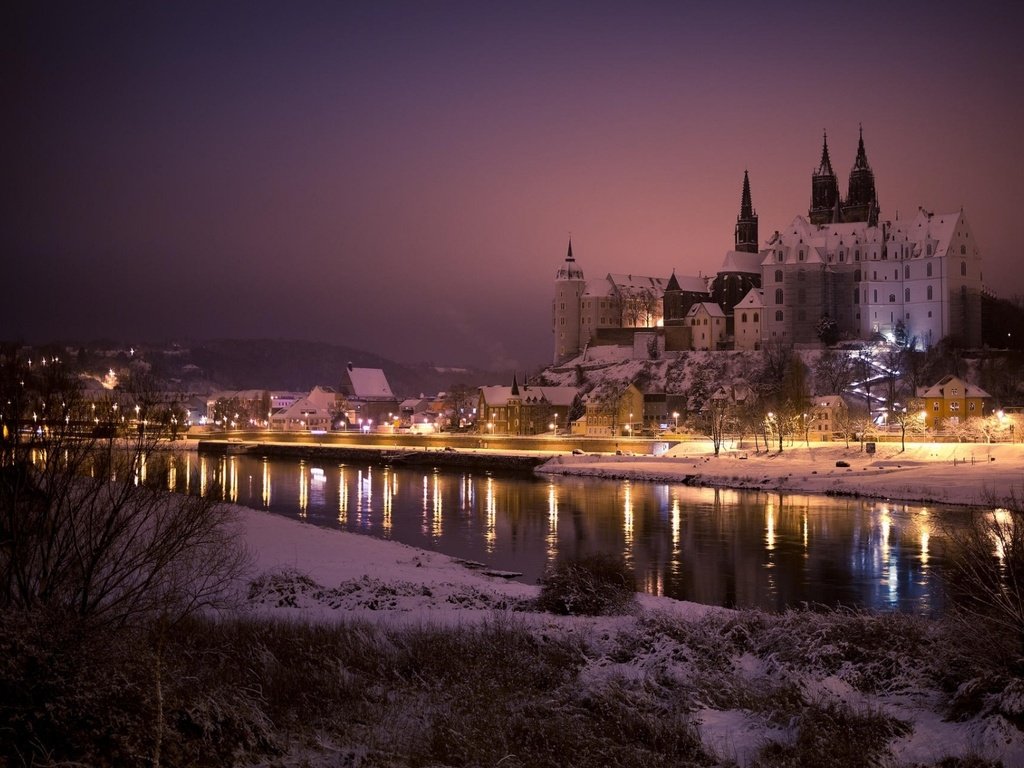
840, 272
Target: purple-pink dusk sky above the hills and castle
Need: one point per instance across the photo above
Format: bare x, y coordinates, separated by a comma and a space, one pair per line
403, 178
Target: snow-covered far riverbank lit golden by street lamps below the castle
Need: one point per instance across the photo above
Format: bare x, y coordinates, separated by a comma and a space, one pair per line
950, 474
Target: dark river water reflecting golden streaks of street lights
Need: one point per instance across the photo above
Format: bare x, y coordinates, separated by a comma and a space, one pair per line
717, 547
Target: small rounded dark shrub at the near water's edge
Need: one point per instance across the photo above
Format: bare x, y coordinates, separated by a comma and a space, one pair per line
593, 585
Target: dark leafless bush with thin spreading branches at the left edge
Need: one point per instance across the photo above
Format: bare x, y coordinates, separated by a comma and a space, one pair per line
81, 533
